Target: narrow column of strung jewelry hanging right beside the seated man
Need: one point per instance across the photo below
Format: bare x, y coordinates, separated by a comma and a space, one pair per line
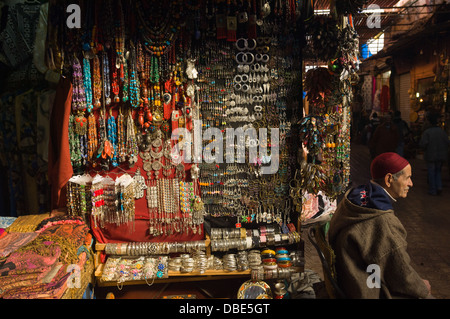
325, 129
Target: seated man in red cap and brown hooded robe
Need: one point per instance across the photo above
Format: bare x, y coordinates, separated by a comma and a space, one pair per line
364, 231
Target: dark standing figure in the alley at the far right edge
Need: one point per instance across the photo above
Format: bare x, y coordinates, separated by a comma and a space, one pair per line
434, 141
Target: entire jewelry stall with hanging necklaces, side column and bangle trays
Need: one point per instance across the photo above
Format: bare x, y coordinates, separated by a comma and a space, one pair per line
179, 137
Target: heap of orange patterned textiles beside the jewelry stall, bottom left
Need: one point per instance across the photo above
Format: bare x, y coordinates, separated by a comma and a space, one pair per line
38, 269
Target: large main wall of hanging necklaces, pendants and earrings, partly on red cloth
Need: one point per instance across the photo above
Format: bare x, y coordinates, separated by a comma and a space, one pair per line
155, 96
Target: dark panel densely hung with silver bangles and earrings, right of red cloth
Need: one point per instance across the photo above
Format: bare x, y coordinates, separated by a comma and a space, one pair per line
250, 90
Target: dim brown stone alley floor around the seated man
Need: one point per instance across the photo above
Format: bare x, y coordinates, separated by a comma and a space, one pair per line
426, 219
